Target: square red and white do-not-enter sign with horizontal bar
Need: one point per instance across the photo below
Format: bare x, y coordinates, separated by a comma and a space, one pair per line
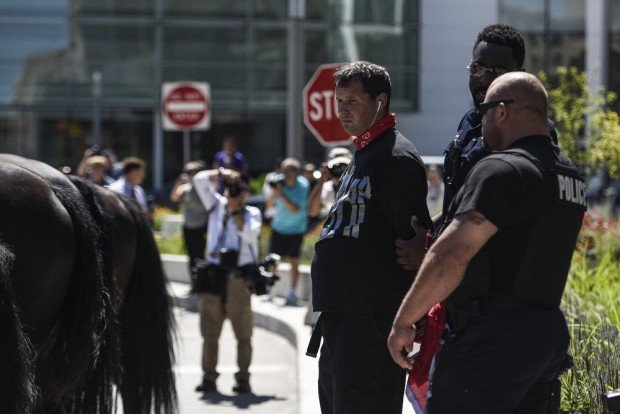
186, 106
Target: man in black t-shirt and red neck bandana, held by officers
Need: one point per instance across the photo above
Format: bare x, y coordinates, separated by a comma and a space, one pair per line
357, 284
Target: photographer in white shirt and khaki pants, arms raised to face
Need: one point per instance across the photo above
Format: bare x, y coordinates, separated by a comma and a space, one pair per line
232, 246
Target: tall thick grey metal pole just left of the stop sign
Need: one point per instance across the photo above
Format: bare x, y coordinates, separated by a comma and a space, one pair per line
295, 75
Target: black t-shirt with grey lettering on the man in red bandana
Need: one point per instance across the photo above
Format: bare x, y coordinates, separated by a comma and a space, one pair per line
354, 268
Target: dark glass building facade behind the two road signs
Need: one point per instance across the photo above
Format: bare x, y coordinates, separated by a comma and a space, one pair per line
51, 49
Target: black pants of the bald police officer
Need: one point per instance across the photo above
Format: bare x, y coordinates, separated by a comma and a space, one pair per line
501, 362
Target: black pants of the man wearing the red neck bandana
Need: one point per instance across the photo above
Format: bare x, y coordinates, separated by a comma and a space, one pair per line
356, 373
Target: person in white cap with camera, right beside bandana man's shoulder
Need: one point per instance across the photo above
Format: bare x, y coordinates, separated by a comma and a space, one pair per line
323, 194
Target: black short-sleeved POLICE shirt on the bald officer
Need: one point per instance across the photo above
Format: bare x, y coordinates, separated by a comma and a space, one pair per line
512, 193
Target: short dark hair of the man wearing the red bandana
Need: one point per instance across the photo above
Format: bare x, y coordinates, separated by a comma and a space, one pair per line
375, 79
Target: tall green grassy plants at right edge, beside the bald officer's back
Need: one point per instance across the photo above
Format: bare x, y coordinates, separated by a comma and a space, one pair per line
591, 303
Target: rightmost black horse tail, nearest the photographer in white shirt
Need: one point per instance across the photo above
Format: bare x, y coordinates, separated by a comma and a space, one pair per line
148, 329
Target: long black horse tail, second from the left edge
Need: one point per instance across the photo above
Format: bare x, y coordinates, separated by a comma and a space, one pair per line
74, 370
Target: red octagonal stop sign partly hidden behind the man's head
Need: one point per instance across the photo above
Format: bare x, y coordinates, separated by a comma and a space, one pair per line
320, 109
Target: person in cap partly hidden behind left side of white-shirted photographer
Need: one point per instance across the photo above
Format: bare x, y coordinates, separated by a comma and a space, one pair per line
195, 217
